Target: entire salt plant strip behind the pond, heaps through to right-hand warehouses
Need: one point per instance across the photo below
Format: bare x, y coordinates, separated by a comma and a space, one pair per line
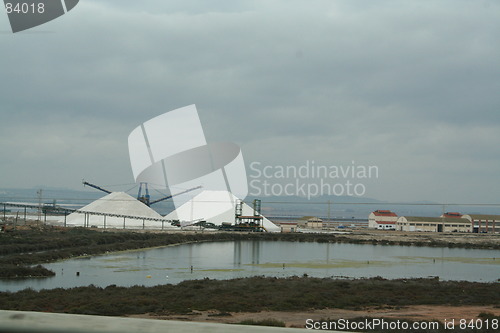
211, 210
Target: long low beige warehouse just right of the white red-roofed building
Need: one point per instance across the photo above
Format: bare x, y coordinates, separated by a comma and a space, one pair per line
433, 224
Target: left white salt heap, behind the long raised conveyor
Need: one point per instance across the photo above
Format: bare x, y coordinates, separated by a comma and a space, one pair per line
116, 203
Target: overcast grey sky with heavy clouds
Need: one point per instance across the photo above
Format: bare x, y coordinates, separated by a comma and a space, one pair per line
412, 87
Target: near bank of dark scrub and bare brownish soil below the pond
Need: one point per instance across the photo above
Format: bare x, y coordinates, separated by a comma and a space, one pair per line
284, 301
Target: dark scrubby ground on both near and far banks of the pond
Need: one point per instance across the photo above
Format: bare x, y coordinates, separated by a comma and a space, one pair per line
288, 301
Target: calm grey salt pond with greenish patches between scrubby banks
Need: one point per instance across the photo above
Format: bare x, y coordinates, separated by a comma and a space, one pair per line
225, 260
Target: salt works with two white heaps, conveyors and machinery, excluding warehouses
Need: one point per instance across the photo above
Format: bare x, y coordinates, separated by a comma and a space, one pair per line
119, 210
